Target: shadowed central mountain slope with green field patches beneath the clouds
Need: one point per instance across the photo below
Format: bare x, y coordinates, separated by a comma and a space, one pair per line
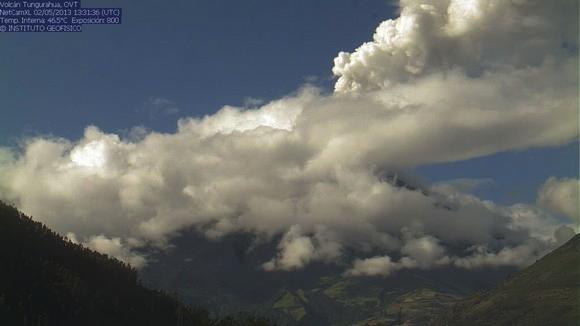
225, 275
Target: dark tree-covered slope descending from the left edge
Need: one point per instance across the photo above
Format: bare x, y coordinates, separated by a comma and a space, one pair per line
46, 280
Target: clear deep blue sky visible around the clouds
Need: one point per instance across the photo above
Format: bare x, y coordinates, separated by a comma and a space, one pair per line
200, 55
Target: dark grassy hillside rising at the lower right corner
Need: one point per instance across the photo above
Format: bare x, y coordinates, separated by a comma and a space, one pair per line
546, 293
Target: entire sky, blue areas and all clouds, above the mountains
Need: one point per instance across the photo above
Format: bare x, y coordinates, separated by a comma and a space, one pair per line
222, 114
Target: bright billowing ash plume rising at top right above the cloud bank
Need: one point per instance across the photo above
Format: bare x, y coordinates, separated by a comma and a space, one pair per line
473, 36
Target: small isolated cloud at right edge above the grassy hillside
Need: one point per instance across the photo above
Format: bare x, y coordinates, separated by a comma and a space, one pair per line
561, 196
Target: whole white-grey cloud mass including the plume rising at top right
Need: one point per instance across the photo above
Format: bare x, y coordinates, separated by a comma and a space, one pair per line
330, 174
